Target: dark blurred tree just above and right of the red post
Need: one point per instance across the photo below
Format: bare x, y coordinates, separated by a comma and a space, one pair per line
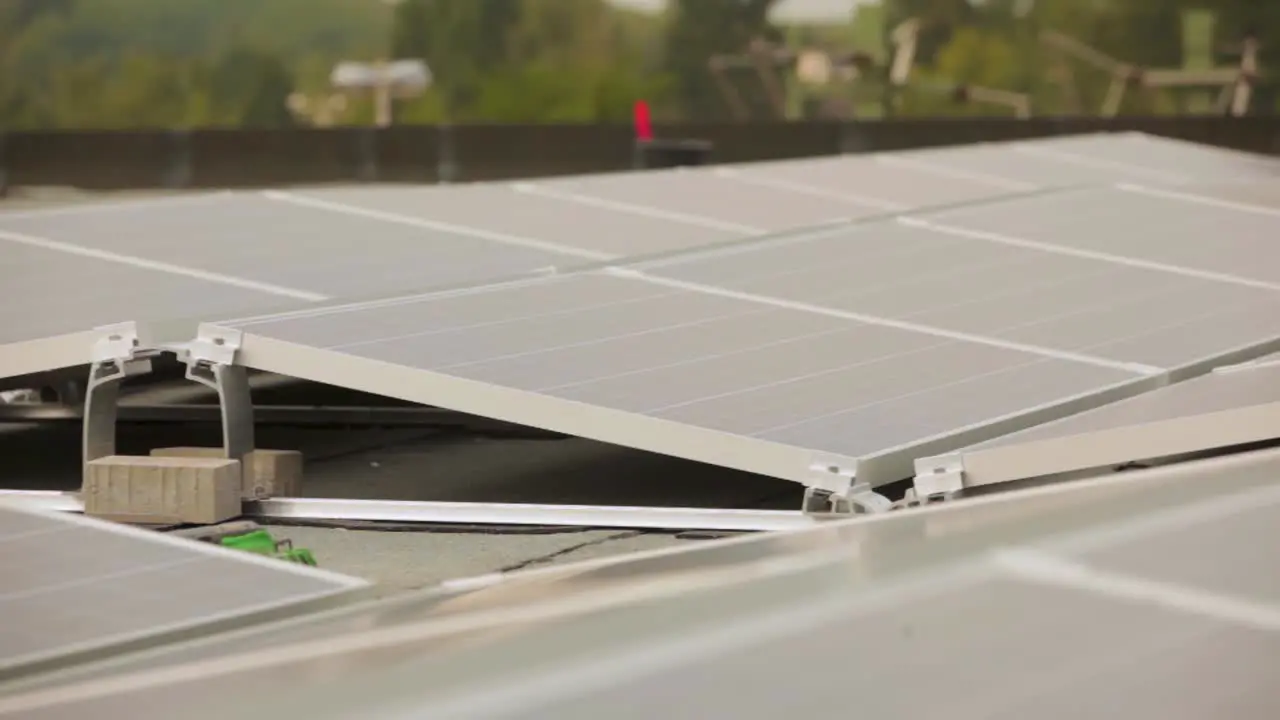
702, 29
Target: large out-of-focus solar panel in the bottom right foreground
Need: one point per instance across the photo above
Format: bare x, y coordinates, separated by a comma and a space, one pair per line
1105, 618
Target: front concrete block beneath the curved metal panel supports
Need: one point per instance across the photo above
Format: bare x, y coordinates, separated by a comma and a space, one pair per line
163, 490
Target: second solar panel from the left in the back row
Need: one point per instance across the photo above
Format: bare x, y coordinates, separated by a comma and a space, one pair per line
257, 240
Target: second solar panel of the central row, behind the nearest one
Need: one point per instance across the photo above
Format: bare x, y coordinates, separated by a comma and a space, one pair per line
1077, 303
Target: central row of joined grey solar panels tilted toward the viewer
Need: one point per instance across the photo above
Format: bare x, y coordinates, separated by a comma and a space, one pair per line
856, 347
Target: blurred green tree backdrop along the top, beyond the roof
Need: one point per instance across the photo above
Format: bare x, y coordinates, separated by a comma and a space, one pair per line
232, 63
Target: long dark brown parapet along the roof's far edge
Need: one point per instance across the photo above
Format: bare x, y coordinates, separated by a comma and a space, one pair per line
257, 158
